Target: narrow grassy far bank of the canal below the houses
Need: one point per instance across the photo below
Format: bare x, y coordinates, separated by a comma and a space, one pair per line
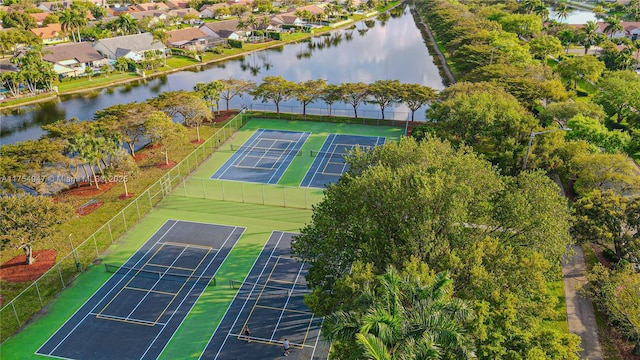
55, 95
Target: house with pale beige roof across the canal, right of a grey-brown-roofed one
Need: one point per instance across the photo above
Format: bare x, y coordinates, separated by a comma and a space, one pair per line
129, 46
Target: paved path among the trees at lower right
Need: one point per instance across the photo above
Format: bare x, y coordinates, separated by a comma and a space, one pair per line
580, 315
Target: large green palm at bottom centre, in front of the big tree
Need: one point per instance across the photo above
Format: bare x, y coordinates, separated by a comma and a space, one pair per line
404, 318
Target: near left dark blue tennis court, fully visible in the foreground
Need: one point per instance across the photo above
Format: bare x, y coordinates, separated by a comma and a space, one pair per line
137, 311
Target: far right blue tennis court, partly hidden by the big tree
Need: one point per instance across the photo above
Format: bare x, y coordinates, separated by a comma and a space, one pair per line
329, 163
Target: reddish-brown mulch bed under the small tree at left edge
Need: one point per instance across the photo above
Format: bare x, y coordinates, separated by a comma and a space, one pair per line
15, 270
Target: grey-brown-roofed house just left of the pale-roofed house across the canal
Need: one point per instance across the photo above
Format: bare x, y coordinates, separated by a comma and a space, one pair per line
72, 59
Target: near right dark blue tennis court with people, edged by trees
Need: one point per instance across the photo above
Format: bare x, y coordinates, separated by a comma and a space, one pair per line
270, 303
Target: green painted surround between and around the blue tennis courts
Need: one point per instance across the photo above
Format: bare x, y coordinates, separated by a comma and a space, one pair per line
259, 220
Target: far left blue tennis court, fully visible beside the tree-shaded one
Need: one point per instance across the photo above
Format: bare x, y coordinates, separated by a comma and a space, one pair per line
264, 157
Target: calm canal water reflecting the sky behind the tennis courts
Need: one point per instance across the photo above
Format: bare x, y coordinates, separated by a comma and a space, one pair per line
391, 49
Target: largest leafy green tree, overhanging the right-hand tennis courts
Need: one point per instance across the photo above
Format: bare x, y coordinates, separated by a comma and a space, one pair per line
453, 211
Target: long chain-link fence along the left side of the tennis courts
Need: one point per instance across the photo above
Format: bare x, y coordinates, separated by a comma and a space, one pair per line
15, 313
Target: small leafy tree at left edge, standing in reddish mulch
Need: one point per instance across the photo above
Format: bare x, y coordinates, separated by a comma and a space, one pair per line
30, 220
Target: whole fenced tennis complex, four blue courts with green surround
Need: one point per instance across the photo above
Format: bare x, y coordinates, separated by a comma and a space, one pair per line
185, 281
